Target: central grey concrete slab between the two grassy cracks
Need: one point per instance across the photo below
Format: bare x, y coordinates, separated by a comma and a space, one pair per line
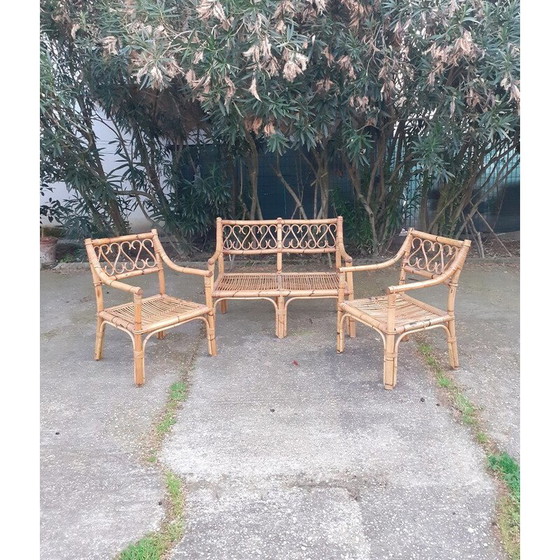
291, 451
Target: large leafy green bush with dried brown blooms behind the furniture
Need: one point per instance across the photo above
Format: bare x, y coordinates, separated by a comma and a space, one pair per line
397, 91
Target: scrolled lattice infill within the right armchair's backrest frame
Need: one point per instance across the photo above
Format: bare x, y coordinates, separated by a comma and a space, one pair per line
430, 258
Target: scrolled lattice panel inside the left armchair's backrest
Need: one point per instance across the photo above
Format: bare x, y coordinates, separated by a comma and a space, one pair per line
122, 259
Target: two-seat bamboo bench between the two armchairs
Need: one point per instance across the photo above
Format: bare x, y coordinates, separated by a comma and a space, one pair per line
277, 238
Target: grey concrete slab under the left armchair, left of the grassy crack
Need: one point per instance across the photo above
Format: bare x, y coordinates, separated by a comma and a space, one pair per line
97, 495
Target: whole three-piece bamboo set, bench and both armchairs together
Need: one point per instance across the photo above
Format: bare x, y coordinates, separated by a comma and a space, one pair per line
435, 260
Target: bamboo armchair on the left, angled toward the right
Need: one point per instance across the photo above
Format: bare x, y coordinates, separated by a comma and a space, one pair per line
114, 259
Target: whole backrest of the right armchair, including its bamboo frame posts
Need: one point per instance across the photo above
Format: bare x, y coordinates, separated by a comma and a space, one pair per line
430, 256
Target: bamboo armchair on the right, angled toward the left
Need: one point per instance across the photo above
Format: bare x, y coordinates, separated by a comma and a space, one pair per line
436, 260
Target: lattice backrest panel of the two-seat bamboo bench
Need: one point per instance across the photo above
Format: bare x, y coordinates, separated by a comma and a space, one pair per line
251, 238
